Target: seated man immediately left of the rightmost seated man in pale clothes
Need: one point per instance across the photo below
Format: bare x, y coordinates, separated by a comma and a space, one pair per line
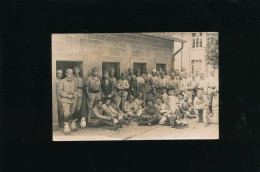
186, 108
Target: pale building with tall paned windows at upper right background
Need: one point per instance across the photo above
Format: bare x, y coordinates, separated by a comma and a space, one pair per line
192, 56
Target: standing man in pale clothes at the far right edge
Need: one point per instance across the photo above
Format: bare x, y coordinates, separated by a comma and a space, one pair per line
210, 89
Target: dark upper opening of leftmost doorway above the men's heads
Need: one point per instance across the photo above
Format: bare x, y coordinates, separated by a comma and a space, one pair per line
64, 65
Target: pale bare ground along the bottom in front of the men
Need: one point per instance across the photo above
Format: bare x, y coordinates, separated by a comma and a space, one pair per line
192, 130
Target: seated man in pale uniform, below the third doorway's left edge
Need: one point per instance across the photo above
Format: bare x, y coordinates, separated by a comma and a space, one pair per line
132, 109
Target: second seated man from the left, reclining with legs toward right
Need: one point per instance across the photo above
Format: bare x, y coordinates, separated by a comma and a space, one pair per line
109, 110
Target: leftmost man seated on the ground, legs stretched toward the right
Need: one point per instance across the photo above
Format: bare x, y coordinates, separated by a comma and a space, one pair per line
100, 118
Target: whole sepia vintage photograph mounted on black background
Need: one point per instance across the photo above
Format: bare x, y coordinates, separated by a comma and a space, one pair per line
135, 86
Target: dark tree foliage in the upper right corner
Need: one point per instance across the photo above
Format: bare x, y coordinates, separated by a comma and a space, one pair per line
212, 50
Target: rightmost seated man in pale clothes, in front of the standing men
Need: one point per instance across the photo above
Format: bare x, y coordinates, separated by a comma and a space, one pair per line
201, 106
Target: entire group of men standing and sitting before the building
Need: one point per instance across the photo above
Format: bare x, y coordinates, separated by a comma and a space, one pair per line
169, 98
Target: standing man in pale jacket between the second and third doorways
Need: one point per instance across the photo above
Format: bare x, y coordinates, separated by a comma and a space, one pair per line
123, 86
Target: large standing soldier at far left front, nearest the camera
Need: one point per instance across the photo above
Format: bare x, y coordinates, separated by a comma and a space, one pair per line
68, 98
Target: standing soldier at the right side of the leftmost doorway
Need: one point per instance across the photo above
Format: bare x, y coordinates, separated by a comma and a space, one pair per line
78, 80
